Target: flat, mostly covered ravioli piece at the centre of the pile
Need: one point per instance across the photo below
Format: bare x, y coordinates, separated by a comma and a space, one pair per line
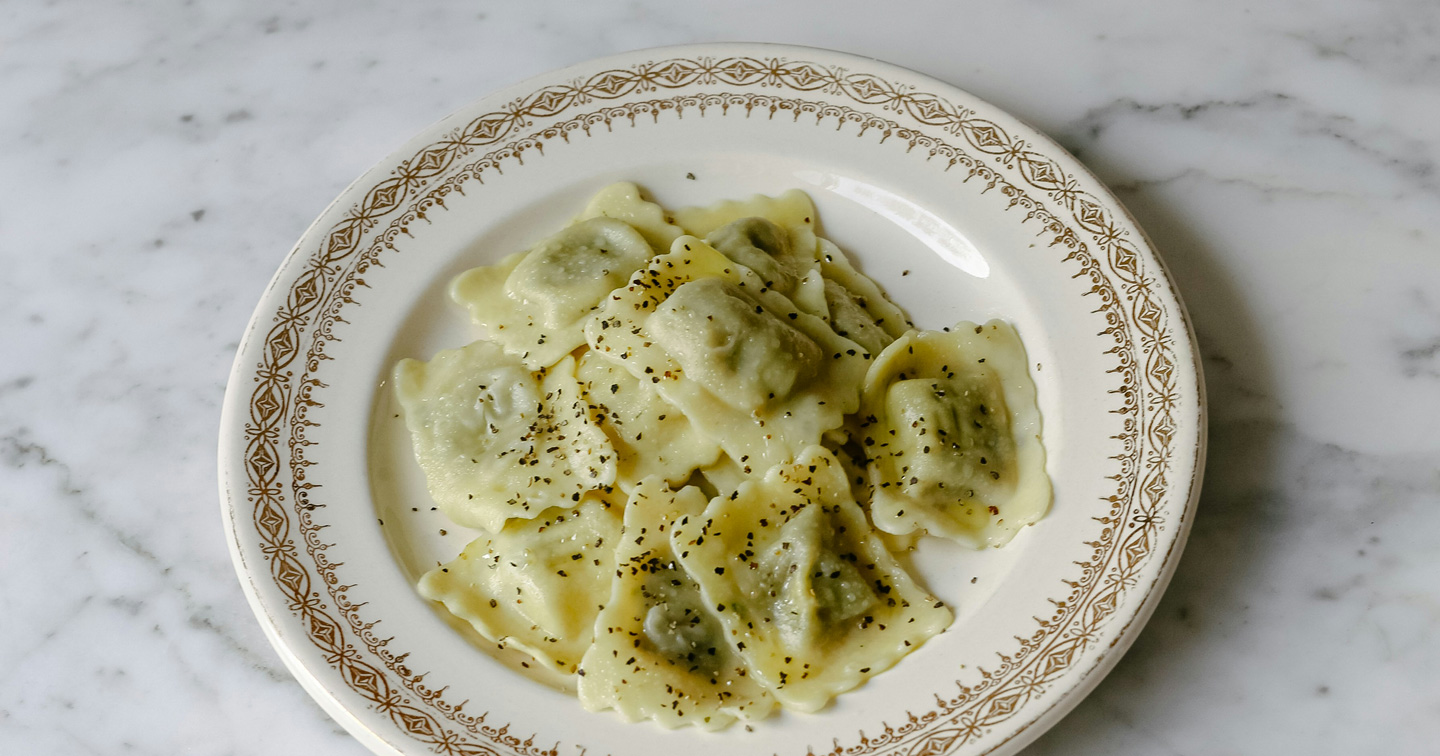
649, 434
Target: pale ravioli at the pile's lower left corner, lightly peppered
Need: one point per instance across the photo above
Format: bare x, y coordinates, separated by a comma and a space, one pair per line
538, 585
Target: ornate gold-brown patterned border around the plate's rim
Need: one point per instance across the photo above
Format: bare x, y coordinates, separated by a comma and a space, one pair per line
325, 287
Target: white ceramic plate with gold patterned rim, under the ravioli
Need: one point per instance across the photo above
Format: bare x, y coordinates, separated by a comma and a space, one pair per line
960, 211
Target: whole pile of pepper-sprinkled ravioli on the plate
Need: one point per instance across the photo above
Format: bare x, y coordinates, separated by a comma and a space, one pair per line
693, 441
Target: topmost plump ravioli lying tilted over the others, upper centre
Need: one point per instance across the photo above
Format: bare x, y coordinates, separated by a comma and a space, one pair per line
751, 371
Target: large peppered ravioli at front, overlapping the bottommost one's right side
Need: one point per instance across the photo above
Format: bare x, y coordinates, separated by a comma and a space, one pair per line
810, 598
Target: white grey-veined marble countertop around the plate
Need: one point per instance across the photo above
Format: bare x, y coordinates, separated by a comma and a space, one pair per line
161, 159
